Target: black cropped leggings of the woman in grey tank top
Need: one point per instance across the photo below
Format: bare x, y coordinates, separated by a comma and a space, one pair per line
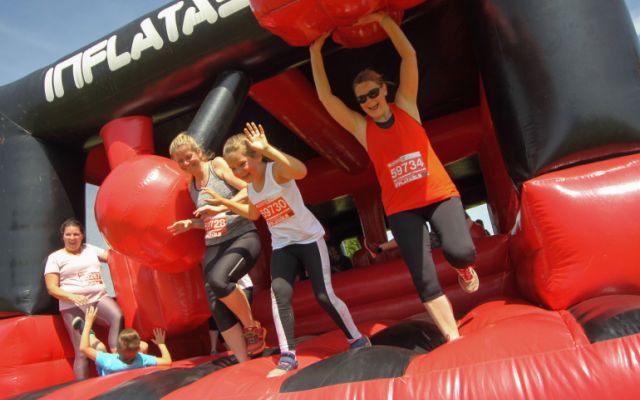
224, 264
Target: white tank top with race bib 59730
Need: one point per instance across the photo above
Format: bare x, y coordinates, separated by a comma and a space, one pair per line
289, 220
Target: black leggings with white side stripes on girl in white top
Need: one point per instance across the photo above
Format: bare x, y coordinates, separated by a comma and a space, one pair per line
314, 257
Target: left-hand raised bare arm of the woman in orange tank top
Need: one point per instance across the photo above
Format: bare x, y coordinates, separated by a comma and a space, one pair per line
350, 120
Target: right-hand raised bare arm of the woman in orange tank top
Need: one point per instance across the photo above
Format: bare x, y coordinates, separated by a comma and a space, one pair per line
407, 94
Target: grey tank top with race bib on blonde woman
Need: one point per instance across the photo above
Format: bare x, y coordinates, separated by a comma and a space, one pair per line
224, 226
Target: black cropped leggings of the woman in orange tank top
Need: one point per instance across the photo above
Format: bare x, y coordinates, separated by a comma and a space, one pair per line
411, 234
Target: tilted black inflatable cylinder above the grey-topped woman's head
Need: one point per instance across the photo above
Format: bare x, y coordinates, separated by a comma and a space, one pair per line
219, 110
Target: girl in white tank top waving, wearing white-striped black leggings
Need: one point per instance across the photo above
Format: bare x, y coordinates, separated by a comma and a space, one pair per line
296, 235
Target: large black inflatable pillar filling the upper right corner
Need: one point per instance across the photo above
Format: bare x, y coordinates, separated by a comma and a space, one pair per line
561, 79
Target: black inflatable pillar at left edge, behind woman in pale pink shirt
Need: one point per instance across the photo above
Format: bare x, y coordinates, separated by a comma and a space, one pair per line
42, 185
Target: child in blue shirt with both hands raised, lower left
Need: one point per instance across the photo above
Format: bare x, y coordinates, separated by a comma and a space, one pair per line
129, 355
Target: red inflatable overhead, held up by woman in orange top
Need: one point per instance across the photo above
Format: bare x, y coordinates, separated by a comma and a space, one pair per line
300, 22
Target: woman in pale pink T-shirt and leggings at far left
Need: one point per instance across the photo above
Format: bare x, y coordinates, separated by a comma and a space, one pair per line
72, 275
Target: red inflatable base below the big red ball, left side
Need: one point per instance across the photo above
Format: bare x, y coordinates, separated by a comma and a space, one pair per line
149, 298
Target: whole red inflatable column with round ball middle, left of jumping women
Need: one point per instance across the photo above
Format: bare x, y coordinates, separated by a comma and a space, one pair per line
156, 275
